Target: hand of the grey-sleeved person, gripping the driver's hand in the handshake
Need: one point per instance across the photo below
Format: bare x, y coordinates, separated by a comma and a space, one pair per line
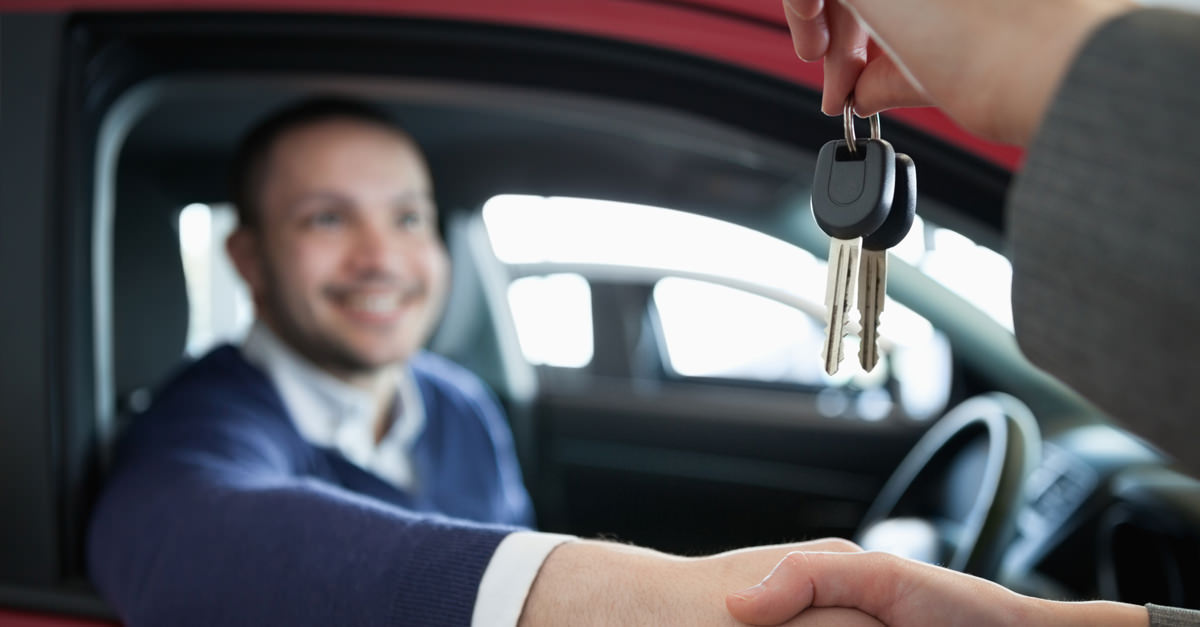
904, 593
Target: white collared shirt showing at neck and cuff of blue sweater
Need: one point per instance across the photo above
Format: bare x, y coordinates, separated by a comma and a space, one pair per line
333, 414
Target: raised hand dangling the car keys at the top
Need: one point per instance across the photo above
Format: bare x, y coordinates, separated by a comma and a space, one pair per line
991, 65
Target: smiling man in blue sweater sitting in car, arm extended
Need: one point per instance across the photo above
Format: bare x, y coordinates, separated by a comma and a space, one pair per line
329, 471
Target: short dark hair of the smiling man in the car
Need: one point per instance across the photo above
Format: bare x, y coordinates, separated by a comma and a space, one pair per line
250, 160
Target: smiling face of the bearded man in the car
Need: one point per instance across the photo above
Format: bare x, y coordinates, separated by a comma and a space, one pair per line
347, 266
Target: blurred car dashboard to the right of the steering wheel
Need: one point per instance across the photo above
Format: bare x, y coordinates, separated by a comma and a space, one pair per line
1106, 518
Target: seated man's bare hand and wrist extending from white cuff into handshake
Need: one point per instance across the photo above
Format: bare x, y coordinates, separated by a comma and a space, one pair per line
598, 583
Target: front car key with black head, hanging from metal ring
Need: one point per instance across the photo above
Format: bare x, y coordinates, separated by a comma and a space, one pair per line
853, 193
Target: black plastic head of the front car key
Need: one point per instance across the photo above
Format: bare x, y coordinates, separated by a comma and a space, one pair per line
853, 194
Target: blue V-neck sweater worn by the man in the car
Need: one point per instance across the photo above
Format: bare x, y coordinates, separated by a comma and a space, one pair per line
219, 513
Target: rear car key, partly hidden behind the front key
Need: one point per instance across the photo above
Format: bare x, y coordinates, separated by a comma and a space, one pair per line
873, 278
